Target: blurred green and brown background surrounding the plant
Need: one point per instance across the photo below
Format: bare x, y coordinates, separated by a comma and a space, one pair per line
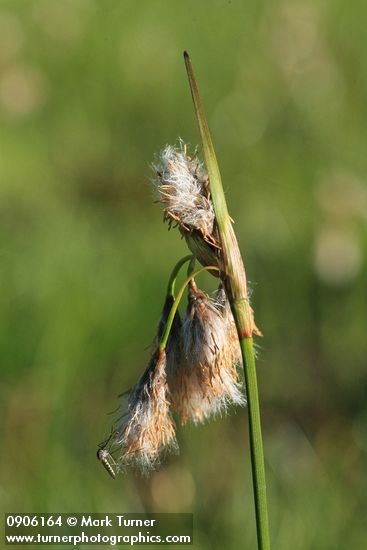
90, 91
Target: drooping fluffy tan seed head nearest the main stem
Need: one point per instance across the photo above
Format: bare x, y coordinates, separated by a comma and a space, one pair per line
205, 382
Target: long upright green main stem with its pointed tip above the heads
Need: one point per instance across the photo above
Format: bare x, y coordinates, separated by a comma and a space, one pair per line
234, 279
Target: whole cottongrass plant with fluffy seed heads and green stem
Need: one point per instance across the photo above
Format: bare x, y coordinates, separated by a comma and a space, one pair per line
193, 368
